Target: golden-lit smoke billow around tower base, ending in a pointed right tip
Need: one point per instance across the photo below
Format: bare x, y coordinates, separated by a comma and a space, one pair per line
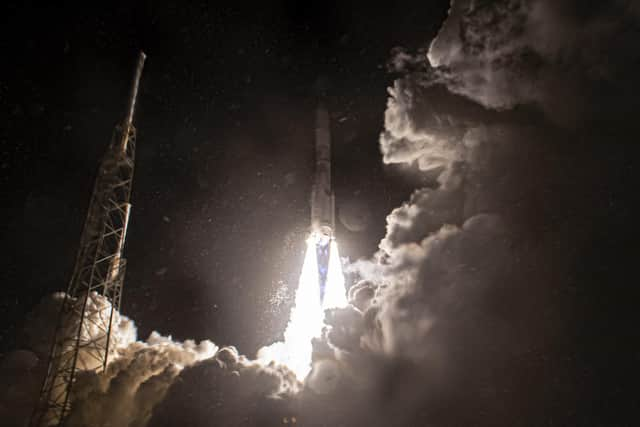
135, 380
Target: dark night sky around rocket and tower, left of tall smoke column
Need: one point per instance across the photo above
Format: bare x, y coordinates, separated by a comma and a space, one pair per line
223, 167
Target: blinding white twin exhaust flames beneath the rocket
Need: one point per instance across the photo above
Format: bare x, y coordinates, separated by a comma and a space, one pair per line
307, 316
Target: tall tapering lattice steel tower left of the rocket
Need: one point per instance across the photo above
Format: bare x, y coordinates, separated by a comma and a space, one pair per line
84, 330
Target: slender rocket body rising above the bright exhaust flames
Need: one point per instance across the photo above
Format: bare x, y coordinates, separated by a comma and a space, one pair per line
322, 198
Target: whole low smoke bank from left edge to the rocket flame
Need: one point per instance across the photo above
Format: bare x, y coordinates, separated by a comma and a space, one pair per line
142, 374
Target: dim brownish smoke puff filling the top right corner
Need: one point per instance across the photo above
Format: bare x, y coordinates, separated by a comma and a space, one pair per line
559, 55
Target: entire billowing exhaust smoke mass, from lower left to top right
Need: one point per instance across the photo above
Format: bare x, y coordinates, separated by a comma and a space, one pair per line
460, 317
